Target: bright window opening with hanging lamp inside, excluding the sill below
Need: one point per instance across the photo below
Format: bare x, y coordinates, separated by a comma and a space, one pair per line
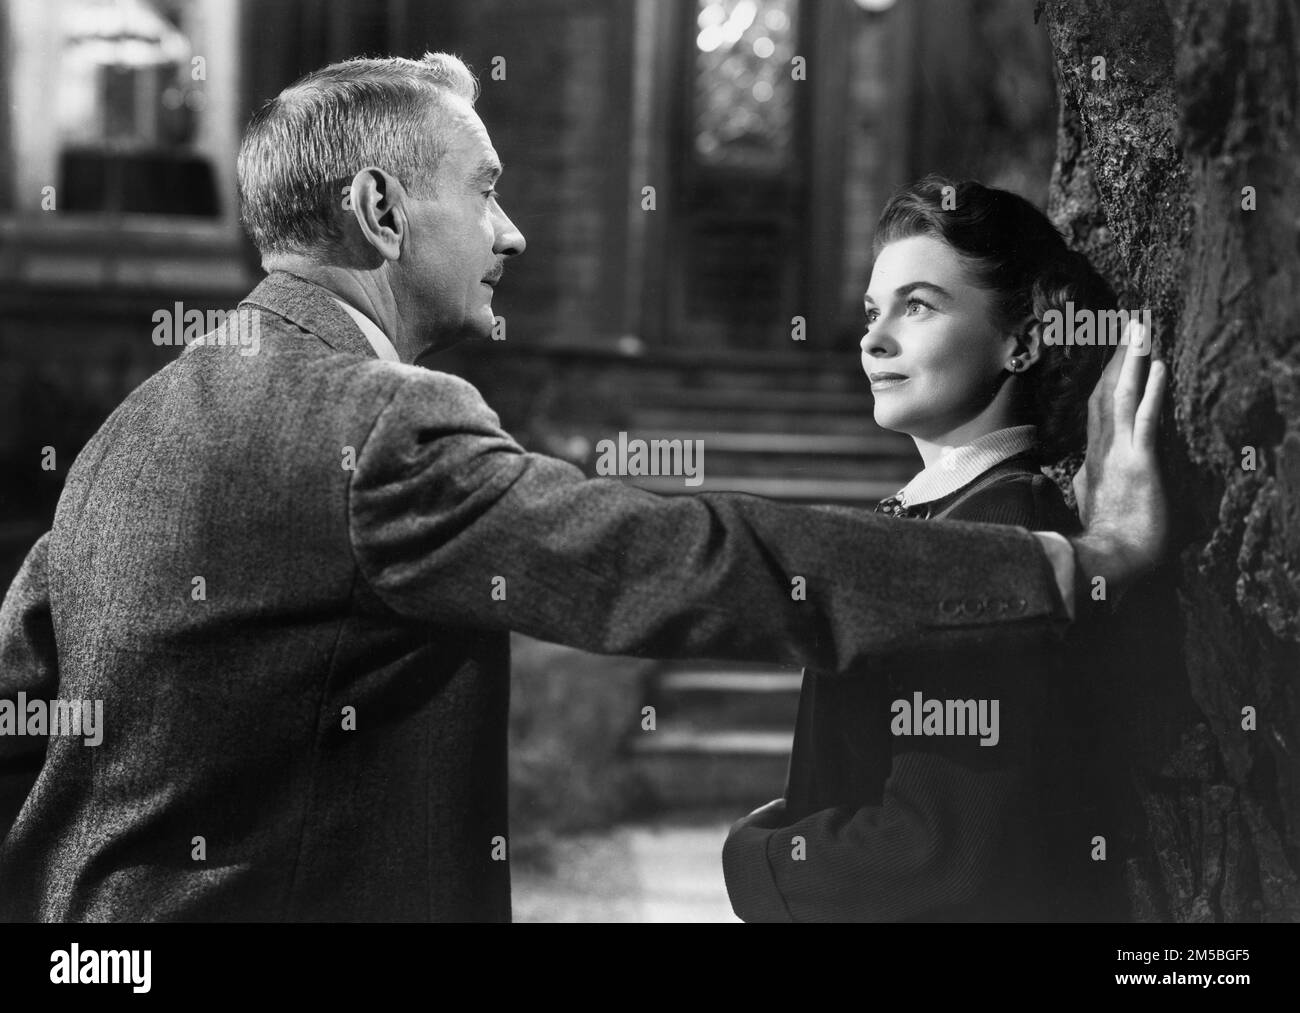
112, 106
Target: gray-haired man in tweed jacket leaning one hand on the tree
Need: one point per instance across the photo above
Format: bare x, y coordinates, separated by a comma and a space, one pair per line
291, 577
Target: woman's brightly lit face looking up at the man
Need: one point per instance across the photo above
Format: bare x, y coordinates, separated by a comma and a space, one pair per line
931, 352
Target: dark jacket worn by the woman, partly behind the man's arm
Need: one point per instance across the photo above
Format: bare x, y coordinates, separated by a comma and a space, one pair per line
902, 828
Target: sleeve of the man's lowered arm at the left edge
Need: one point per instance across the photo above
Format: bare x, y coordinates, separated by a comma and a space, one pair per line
29, 665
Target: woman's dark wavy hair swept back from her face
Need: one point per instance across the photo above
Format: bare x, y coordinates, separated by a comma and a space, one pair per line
1019, 256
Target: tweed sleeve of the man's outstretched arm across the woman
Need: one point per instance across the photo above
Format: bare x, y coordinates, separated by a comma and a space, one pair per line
454, 523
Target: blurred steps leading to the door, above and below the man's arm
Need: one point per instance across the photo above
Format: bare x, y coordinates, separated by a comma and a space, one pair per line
795, 431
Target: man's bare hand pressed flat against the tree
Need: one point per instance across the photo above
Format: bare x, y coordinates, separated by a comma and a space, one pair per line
1120, 491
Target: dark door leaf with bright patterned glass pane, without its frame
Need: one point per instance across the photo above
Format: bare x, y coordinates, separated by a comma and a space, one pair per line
742, 140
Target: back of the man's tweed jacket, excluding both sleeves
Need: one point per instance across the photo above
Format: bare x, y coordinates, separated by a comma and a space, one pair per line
257, 692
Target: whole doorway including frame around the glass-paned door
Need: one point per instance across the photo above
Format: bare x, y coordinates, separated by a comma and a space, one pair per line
748, 127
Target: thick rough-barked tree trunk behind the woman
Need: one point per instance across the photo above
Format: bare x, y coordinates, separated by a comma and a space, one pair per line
1169, 112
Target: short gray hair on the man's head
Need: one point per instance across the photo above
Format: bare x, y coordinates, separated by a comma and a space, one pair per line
304, 148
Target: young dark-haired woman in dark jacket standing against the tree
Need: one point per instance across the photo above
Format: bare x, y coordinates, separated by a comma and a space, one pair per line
956, 787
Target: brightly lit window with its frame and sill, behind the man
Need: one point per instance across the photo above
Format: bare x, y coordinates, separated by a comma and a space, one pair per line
123, 131
